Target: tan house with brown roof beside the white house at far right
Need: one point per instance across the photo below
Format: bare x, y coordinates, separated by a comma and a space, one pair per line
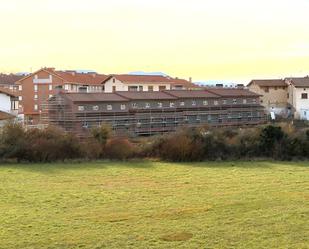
274, 95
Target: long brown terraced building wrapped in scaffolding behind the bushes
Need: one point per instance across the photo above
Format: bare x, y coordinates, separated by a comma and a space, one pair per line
146, 113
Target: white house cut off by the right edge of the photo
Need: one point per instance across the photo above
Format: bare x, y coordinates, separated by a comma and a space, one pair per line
298, 97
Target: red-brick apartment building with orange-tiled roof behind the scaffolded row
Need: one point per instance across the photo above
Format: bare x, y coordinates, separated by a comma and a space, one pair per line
36, 88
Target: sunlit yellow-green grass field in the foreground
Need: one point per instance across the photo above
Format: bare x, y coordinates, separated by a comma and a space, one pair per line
155, 205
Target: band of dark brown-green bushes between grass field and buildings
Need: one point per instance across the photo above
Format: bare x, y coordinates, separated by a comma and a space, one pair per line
205, 143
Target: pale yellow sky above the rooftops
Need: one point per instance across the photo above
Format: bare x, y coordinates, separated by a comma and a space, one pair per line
205, 39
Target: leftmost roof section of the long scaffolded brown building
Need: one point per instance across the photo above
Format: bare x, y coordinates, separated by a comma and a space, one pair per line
94, 97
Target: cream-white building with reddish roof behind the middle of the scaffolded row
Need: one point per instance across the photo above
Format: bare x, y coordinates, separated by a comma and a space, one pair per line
128, 82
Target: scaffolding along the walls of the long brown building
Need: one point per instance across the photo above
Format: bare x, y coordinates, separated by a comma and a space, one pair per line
149, 121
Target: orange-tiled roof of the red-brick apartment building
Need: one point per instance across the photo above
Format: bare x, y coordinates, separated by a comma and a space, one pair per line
73, 76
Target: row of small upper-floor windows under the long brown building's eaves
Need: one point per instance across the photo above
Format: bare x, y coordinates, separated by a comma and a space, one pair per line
160, 105
